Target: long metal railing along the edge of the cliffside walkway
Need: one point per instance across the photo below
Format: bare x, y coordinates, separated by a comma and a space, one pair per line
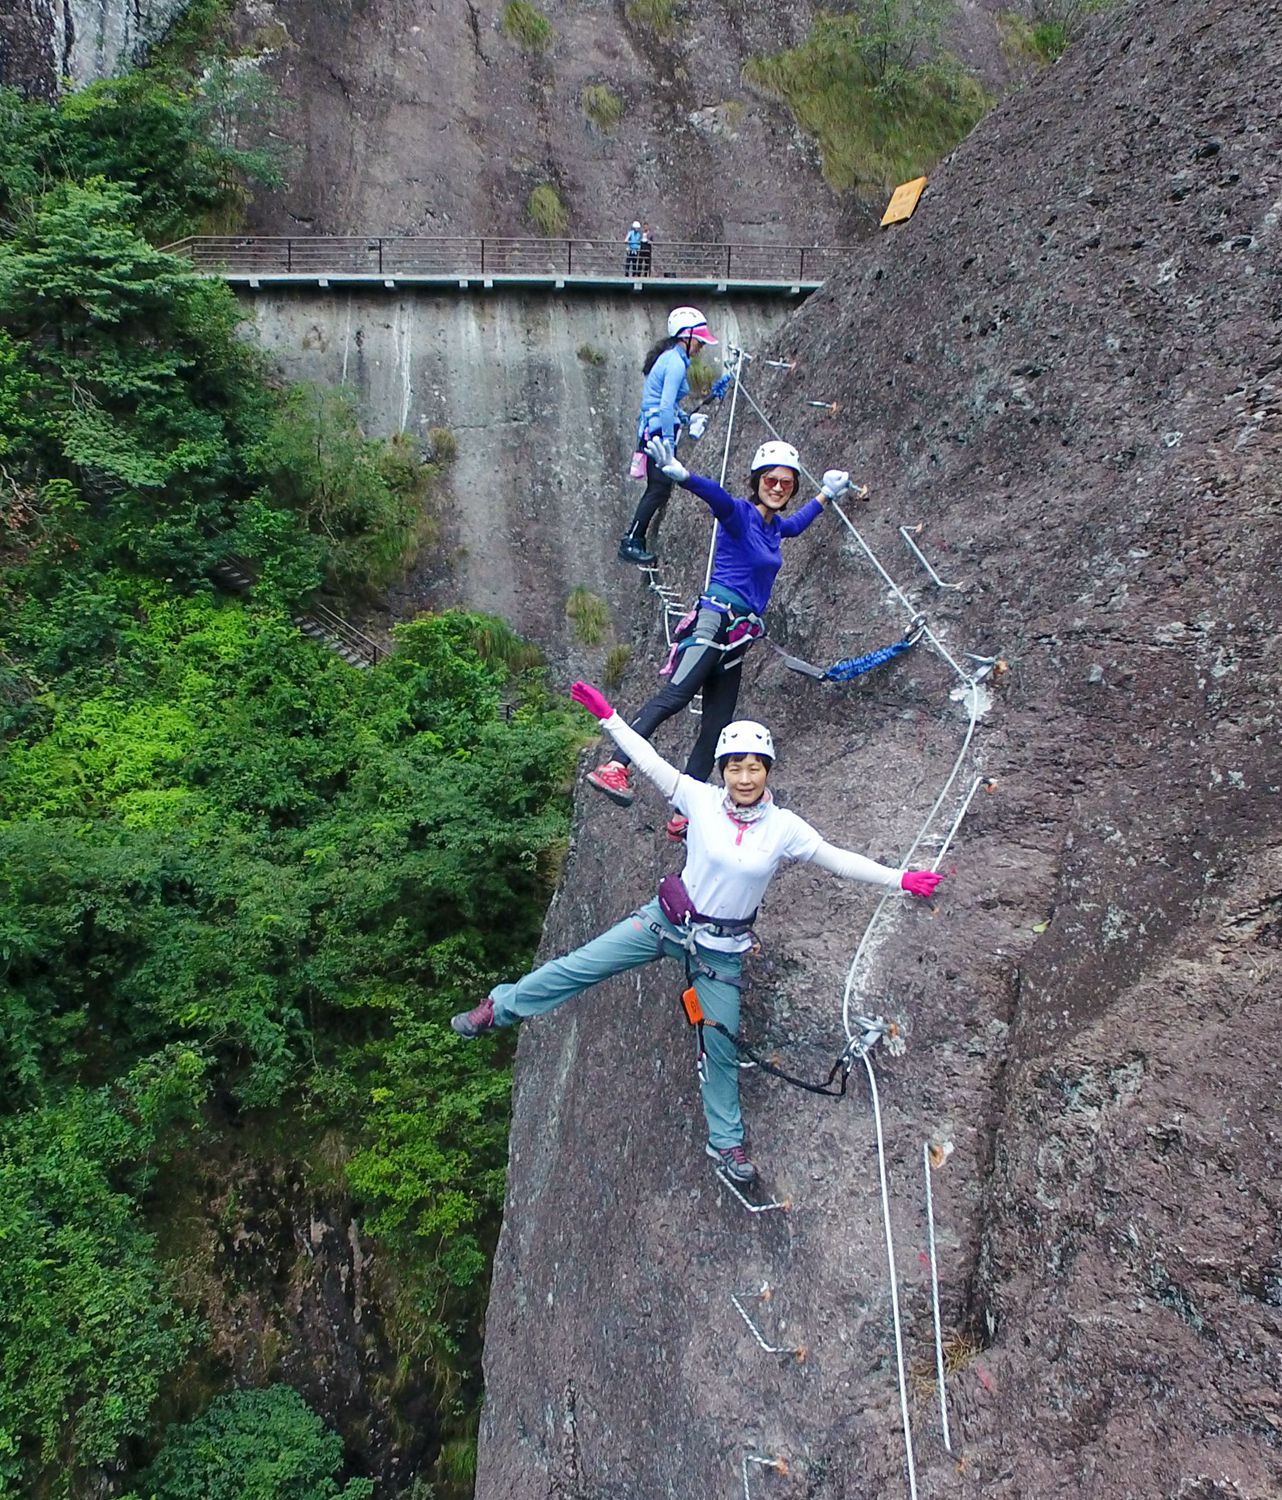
467, 257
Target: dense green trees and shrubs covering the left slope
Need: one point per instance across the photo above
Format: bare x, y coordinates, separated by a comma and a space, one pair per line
239, 880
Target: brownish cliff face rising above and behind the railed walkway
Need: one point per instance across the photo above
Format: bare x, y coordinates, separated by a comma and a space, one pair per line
431, 121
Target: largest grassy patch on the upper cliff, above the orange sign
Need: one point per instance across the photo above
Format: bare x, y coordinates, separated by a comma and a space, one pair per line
878, 122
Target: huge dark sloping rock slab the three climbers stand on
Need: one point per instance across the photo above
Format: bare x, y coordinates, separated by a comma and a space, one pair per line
1067, 368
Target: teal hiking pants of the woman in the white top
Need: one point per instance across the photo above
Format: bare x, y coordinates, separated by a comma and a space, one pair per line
628, 946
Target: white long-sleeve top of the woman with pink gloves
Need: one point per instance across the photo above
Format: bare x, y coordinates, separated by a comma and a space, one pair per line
729, 865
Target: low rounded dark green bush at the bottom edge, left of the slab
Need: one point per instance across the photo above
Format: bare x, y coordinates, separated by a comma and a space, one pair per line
253, 1445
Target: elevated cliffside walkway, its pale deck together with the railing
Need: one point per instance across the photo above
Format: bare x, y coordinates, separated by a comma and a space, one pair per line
479, 263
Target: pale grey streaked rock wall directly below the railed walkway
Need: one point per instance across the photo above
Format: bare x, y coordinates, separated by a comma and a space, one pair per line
541, 391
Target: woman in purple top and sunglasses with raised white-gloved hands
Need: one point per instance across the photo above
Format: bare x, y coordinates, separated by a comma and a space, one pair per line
714, 638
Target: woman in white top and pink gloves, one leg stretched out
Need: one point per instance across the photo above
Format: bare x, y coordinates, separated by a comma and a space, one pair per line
738, 839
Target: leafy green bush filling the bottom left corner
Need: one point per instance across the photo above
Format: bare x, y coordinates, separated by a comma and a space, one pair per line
89, 1330
